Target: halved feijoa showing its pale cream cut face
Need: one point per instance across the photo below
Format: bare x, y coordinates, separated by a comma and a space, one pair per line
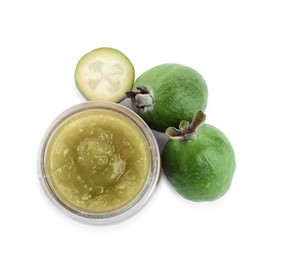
104, 74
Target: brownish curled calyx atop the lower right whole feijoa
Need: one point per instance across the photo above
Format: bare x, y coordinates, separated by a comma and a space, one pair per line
186, 131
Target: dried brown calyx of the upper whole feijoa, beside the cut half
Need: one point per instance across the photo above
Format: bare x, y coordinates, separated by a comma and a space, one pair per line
141, 99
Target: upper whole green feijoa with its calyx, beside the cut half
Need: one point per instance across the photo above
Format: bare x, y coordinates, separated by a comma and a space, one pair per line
167, 93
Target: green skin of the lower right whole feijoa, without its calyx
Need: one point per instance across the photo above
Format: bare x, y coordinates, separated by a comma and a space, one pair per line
200, 169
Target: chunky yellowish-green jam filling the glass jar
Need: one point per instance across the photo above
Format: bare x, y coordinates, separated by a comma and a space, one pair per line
98, 161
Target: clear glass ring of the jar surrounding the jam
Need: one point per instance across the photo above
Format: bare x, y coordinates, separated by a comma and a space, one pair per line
128, 209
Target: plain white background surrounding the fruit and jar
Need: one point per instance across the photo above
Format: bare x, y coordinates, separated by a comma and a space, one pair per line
235, 45
